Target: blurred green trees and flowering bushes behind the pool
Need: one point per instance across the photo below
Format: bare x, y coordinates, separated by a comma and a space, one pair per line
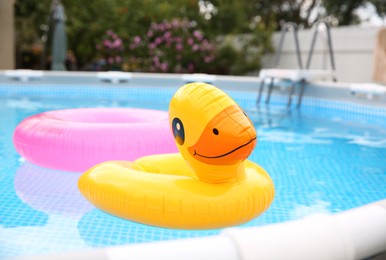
182, 36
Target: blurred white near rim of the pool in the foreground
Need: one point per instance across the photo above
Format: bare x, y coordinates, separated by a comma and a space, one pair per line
359, 233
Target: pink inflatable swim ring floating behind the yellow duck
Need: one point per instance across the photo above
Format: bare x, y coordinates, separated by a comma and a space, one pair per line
77, 139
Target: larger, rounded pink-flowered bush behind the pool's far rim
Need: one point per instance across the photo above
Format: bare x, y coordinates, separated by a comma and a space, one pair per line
175, 46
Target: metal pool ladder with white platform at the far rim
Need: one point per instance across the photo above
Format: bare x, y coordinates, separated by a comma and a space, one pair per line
299, 74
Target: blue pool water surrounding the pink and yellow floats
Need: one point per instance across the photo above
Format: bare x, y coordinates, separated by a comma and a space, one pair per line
327, 157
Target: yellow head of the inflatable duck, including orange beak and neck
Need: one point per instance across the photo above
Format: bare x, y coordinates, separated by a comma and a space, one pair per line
211, 131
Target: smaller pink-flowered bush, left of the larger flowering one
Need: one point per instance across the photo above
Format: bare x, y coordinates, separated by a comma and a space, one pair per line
111, 51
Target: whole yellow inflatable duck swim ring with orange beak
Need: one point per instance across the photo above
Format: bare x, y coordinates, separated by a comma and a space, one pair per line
209, 184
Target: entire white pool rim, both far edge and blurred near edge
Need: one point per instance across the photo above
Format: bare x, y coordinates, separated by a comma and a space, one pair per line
359, 233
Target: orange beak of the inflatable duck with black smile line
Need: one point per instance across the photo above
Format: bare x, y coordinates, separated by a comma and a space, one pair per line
218, 146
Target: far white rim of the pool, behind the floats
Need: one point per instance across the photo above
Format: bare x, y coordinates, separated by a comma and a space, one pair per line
323, 89
